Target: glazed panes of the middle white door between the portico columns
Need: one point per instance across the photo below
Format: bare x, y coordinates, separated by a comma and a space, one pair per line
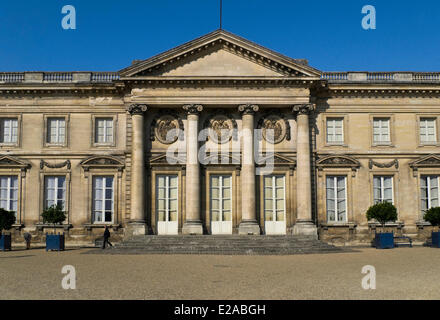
221, 198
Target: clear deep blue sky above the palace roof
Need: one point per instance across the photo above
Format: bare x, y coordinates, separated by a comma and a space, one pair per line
111, 33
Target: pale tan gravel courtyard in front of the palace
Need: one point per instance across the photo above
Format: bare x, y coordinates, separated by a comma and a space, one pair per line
403, 273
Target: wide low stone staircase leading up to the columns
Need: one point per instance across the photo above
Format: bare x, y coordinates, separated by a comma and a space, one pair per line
223, 245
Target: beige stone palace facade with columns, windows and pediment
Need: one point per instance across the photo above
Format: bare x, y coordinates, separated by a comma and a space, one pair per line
99, 144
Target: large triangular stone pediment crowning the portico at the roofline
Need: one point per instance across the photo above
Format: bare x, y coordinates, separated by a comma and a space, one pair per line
220, 54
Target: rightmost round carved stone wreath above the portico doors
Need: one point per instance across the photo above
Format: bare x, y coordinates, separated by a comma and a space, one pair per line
274, 128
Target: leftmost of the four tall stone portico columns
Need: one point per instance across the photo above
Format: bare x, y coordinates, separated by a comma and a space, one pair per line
137, 223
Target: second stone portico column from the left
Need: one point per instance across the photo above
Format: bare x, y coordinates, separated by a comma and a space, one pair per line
193, 222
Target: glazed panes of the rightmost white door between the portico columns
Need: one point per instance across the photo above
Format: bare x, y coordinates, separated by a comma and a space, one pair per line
274, 198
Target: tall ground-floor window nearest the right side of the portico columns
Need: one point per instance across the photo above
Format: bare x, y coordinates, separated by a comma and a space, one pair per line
336, 199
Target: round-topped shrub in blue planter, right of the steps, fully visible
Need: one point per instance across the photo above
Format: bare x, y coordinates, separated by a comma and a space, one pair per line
383, 212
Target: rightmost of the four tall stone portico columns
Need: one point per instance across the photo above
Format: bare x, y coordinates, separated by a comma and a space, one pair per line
304, 223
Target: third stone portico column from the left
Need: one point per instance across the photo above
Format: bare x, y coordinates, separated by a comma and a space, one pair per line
249, 224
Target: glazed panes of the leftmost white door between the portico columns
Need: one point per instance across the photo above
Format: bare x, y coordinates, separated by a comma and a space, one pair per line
167, 197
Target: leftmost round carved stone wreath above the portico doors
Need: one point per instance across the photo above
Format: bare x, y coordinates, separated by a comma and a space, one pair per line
164, 123
